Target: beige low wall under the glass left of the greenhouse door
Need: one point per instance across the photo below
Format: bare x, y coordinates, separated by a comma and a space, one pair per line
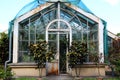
26, 69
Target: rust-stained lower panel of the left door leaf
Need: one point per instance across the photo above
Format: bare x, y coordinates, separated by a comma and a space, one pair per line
52, 68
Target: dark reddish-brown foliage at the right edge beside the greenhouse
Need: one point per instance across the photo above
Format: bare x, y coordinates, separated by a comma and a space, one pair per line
114, 56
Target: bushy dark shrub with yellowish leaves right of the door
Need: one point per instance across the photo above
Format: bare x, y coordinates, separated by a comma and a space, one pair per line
77, 53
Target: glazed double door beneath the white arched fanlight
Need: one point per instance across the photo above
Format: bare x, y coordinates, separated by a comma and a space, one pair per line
60, 41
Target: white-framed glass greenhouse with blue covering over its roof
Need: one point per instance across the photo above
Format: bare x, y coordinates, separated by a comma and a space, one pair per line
56, 22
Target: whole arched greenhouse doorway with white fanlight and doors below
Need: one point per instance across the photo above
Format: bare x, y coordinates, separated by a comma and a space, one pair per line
59, 35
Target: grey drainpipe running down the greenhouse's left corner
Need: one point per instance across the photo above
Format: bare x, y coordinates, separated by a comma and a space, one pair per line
10, 39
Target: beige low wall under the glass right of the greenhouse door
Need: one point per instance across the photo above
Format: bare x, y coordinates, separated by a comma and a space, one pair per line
88, 70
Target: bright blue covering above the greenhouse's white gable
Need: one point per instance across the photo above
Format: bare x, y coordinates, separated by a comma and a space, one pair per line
34, 4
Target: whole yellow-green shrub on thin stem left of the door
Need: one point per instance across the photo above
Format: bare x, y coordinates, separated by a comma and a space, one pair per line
42, 53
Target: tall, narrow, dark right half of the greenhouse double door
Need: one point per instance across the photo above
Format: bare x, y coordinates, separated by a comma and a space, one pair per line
64, 44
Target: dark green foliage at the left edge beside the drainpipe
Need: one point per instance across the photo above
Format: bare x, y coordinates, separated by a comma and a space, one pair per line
4, 47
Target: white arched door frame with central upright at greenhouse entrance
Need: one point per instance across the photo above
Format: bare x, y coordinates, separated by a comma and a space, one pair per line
58, 30
